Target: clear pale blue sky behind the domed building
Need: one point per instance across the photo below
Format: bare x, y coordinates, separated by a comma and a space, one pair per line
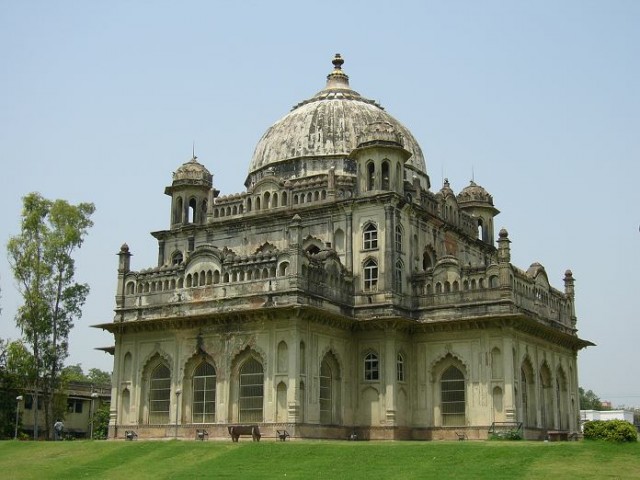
101, 102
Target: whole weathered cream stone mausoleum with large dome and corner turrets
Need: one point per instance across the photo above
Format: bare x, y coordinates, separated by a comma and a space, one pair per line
338, 293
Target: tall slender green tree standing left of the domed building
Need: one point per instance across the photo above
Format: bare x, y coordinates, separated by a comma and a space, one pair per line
43, 266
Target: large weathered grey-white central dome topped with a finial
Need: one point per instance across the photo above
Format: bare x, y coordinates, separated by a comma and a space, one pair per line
329, 124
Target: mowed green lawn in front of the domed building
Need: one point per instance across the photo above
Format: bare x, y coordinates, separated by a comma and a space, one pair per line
317, 460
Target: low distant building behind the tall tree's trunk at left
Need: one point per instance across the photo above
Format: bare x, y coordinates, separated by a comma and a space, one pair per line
79, 409
